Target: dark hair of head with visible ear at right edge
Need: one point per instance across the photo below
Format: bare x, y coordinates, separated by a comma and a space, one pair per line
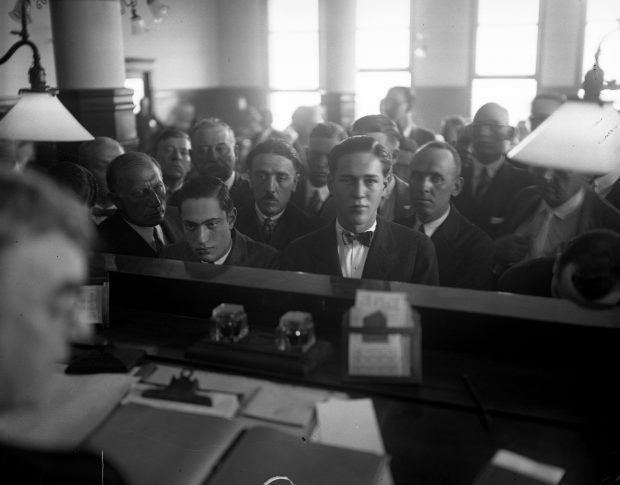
596, 255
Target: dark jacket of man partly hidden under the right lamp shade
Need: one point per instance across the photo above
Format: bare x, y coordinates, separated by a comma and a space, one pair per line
595, 213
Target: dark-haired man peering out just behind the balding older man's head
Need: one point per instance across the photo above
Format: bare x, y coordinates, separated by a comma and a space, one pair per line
172, 151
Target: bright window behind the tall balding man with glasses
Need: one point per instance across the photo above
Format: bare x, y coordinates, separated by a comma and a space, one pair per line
506, 56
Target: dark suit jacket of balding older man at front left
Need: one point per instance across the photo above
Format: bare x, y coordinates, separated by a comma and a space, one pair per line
118, 237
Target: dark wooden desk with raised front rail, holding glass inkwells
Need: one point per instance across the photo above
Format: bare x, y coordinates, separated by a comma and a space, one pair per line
544, 368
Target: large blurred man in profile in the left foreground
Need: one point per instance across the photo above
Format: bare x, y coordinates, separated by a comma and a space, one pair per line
44, 239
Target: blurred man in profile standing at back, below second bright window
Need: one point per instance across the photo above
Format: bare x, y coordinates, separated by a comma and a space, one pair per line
398, 105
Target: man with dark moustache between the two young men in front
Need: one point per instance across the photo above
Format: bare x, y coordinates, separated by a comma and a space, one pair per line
273, 219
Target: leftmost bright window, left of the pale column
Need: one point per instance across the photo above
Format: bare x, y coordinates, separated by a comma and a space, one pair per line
293, 57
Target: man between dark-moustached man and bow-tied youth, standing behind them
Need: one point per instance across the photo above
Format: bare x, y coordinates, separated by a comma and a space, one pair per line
312, 189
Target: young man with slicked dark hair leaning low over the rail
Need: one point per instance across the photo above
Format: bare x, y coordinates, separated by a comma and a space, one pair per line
208, 216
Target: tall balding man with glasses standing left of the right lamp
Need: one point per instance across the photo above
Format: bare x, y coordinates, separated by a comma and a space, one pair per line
490, 181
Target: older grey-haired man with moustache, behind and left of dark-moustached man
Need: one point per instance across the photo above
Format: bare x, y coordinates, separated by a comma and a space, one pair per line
214, 152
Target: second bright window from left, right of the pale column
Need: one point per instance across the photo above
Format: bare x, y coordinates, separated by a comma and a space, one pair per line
382, 55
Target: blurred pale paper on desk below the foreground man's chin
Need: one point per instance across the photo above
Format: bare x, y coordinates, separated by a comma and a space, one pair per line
74, 408
